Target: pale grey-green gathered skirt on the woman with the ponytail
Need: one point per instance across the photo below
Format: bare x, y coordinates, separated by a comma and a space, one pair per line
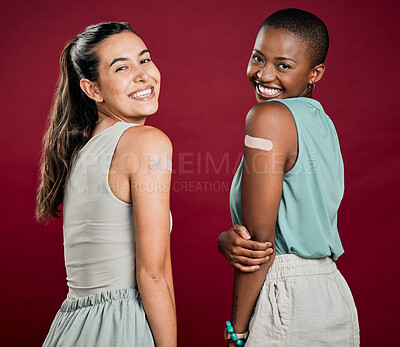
111, 318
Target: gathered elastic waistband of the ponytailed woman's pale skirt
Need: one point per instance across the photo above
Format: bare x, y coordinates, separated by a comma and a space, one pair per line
99, 298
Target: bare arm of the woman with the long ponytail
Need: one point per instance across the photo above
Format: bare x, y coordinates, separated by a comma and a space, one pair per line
150, 190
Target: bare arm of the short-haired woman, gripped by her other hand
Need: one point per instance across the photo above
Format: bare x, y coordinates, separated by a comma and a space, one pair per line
261, 193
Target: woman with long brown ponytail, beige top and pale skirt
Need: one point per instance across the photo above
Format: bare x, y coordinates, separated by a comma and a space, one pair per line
112, 175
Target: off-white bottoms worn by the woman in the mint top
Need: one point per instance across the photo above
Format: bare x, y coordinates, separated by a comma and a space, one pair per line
304, 302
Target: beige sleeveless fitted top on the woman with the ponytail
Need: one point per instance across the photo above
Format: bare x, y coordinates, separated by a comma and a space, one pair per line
98, 227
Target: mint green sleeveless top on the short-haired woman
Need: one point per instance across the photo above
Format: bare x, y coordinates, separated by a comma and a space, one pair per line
312, 190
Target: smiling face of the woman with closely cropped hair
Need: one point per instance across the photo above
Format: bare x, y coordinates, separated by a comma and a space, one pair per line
279, 66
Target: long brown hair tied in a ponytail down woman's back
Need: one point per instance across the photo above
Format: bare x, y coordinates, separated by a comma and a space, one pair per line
72, 118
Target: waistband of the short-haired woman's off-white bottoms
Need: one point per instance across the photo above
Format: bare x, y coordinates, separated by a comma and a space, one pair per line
292, 265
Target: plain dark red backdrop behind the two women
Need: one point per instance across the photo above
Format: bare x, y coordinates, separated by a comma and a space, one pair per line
202, 49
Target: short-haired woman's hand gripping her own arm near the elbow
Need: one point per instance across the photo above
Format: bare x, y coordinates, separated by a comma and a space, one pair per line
241, 252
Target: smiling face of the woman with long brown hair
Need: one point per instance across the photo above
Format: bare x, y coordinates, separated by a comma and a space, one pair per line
129, 82
